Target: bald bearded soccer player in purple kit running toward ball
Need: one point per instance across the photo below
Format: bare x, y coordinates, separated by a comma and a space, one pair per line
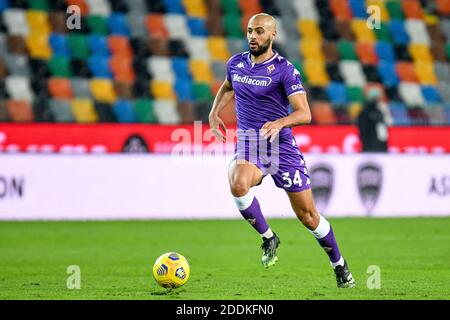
264, 84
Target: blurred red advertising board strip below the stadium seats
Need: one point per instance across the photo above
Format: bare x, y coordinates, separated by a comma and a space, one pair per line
99, 138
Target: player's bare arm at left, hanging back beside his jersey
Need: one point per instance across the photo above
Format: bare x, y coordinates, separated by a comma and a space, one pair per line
224, 95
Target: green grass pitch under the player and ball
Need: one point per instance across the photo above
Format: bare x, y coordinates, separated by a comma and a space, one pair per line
116, 258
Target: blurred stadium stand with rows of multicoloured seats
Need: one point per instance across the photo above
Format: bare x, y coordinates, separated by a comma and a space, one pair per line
162, 61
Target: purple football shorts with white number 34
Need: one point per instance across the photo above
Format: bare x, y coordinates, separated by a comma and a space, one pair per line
281, 159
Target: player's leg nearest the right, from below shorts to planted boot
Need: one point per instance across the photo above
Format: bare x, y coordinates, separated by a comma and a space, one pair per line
305, 209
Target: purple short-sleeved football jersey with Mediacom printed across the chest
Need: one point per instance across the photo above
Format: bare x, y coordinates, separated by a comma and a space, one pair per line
262, 89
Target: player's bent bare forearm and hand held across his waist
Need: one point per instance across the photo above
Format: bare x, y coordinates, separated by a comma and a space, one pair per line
300, 116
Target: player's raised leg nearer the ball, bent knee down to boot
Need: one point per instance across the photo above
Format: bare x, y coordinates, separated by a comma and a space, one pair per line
242, 176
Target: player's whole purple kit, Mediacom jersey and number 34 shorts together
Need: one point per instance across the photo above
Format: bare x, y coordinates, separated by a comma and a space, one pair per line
261, 93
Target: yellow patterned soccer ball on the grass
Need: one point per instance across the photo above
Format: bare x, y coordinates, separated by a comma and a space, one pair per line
171, 270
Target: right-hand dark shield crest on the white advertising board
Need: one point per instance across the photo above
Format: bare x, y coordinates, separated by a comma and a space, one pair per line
369, 180
